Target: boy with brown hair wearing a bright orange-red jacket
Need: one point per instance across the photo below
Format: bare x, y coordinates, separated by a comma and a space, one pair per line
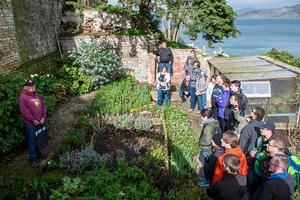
230, 142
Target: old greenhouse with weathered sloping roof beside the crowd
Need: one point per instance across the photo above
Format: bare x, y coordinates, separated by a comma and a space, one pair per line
266, 82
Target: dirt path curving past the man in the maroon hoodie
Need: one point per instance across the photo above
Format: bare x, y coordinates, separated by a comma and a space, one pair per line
59, 124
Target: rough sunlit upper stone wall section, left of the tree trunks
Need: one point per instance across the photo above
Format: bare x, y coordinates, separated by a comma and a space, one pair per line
97, 23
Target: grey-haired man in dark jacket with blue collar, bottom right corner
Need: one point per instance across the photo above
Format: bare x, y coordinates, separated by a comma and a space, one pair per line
280, 185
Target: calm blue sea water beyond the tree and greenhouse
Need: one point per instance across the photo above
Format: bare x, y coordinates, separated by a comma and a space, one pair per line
258, 36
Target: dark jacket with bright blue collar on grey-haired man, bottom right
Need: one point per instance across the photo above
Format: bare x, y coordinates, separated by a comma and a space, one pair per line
277, 187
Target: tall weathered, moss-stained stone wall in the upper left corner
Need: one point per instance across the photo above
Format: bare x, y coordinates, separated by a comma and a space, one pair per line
27, 33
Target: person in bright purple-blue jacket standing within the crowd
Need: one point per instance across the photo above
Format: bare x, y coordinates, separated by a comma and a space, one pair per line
222, 101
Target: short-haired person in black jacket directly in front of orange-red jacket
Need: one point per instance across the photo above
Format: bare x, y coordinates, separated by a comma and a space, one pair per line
233, 187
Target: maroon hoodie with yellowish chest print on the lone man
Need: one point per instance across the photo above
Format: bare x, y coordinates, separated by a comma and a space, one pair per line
32, 107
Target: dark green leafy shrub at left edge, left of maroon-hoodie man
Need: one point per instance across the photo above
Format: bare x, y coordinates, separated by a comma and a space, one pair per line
11, 123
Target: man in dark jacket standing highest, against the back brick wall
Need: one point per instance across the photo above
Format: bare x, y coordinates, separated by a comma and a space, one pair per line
165, 57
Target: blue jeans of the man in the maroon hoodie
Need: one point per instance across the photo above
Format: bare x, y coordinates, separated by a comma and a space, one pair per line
33, 151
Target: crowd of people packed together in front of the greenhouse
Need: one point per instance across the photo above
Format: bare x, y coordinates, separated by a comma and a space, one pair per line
238, 153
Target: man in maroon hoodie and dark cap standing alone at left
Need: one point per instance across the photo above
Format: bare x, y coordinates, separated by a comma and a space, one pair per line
33, 111
